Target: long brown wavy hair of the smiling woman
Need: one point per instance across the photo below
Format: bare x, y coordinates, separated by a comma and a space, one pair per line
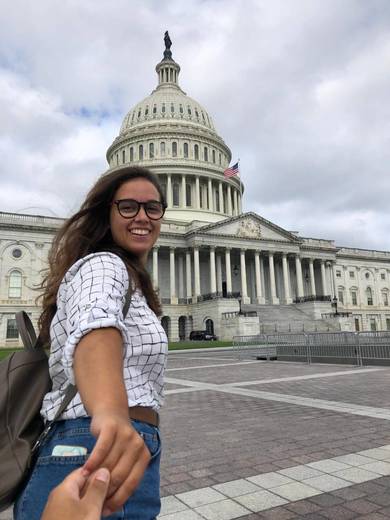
88, 231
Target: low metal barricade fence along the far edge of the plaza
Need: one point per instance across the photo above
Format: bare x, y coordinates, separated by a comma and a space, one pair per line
349, 347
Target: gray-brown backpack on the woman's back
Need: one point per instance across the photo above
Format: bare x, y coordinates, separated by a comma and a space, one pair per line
24, 381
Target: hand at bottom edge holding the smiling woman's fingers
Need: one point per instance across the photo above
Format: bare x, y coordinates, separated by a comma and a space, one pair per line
77, 499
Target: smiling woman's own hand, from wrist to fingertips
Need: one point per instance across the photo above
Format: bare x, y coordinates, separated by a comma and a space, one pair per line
122, 450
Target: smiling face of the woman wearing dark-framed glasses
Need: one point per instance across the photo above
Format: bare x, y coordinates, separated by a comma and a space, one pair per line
137, 234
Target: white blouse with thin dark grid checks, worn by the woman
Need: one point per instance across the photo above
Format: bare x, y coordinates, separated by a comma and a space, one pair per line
91, 296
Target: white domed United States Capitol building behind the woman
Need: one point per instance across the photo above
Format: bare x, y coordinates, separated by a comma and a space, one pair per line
215, 267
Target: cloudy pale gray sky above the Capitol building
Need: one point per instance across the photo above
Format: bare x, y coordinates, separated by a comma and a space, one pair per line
299, 90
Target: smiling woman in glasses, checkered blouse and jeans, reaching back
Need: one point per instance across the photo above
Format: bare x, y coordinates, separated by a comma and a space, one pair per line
117, 362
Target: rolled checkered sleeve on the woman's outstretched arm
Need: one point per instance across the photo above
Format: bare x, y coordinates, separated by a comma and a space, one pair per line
94, 294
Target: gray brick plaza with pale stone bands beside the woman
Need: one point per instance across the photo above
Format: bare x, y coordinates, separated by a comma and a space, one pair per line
279, 440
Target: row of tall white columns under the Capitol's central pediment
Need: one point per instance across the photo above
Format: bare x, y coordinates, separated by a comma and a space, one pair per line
296, 271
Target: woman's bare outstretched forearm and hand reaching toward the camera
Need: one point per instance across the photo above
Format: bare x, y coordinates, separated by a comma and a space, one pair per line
98, 371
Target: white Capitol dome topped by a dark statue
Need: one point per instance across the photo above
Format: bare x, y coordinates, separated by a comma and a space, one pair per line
173, 135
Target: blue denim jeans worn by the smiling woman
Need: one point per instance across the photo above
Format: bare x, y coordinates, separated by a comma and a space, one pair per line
49, 471
